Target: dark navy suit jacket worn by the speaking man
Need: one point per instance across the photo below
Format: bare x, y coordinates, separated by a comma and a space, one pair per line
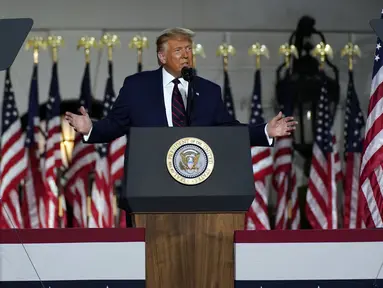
140, 103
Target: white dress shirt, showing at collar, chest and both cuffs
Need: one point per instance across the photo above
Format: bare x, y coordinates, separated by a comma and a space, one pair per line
168, 86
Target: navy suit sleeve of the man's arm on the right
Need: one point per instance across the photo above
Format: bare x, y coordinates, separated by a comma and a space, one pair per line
257, 132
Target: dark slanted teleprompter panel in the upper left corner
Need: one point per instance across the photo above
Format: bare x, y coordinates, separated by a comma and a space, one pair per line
13, 32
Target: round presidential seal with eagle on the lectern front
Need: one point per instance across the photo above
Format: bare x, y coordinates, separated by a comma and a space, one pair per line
190, 161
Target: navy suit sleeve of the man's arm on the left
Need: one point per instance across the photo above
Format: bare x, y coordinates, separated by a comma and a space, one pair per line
116, 123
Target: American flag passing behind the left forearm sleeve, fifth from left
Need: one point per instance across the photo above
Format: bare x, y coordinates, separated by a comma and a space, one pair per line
102, 199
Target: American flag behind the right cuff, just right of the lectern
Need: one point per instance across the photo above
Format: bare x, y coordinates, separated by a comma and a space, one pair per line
257, 215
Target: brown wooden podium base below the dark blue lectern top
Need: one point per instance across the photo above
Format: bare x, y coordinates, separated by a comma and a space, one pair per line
190, 250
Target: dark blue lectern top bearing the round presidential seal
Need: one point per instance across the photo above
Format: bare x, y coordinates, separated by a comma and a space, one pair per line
163, 160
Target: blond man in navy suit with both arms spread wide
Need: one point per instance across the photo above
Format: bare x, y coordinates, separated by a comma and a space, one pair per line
159, 98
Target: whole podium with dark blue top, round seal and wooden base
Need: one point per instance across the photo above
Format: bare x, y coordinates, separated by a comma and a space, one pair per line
189, 188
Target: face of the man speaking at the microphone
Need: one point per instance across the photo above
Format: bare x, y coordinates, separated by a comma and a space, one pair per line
177, 55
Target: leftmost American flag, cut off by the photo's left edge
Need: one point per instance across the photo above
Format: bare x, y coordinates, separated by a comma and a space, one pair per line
13, 162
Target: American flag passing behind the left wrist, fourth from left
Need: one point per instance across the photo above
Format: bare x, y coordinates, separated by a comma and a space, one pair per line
77, 185
